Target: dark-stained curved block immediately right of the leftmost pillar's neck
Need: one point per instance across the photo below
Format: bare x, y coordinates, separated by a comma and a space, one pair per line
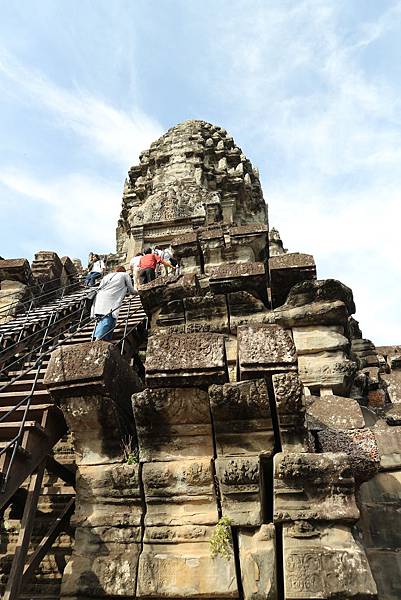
173, 424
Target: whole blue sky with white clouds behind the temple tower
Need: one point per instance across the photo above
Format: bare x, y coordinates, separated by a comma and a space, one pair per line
309, 89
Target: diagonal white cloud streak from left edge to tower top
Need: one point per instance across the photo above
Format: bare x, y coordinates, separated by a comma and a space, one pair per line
117, 135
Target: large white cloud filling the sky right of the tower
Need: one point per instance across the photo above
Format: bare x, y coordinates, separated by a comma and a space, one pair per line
297, 77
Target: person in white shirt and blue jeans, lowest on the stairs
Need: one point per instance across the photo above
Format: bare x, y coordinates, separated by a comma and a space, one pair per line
110, 294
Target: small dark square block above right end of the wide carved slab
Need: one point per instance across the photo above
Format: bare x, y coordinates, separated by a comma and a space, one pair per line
206, 314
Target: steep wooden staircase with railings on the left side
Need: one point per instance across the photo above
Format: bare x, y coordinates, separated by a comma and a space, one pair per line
31, 424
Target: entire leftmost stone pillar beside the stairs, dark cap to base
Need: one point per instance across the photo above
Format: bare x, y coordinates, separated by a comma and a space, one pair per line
93, 385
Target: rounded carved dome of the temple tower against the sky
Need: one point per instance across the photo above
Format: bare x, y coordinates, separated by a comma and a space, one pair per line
193, 176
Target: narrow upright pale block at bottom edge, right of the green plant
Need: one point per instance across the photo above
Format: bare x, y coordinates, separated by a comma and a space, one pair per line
257, 557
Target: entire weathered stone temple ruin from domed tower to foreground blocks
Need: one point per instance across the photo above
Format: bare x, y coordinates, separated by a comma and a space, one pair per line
258, 453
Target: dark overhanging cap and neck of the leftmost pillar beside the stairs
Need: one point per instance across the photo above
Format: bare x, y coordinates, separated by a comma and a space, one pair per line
93, 385
